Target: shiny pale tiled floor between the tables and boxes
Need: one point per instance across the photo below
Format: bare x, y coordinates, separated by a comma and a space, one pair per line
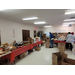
42, 57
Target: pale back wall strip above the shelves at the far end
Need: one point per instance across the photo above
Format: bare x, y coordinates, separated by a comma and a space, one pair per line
59, 28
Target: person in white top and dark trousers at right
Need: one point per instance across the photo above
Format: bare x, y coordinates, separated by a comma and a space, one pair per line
69, 40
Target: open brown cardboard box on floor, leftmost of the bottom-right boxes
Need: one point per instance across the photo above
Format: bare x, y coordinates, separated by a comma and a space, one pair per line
58, 57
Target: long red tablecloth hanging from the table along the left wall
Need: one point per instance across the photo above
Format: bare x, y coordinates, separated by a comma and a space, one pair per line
21, 50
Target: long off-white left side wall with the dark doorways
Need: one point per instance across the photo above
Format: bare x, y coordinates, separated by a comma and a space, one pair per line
6, 28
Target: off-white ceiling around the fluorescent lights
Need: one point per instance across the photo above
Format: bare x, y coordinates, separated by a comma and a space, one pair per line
51, 16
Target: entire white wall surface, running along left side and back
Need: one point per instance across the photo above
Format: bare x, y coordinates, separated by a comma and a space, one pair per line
6, 28
